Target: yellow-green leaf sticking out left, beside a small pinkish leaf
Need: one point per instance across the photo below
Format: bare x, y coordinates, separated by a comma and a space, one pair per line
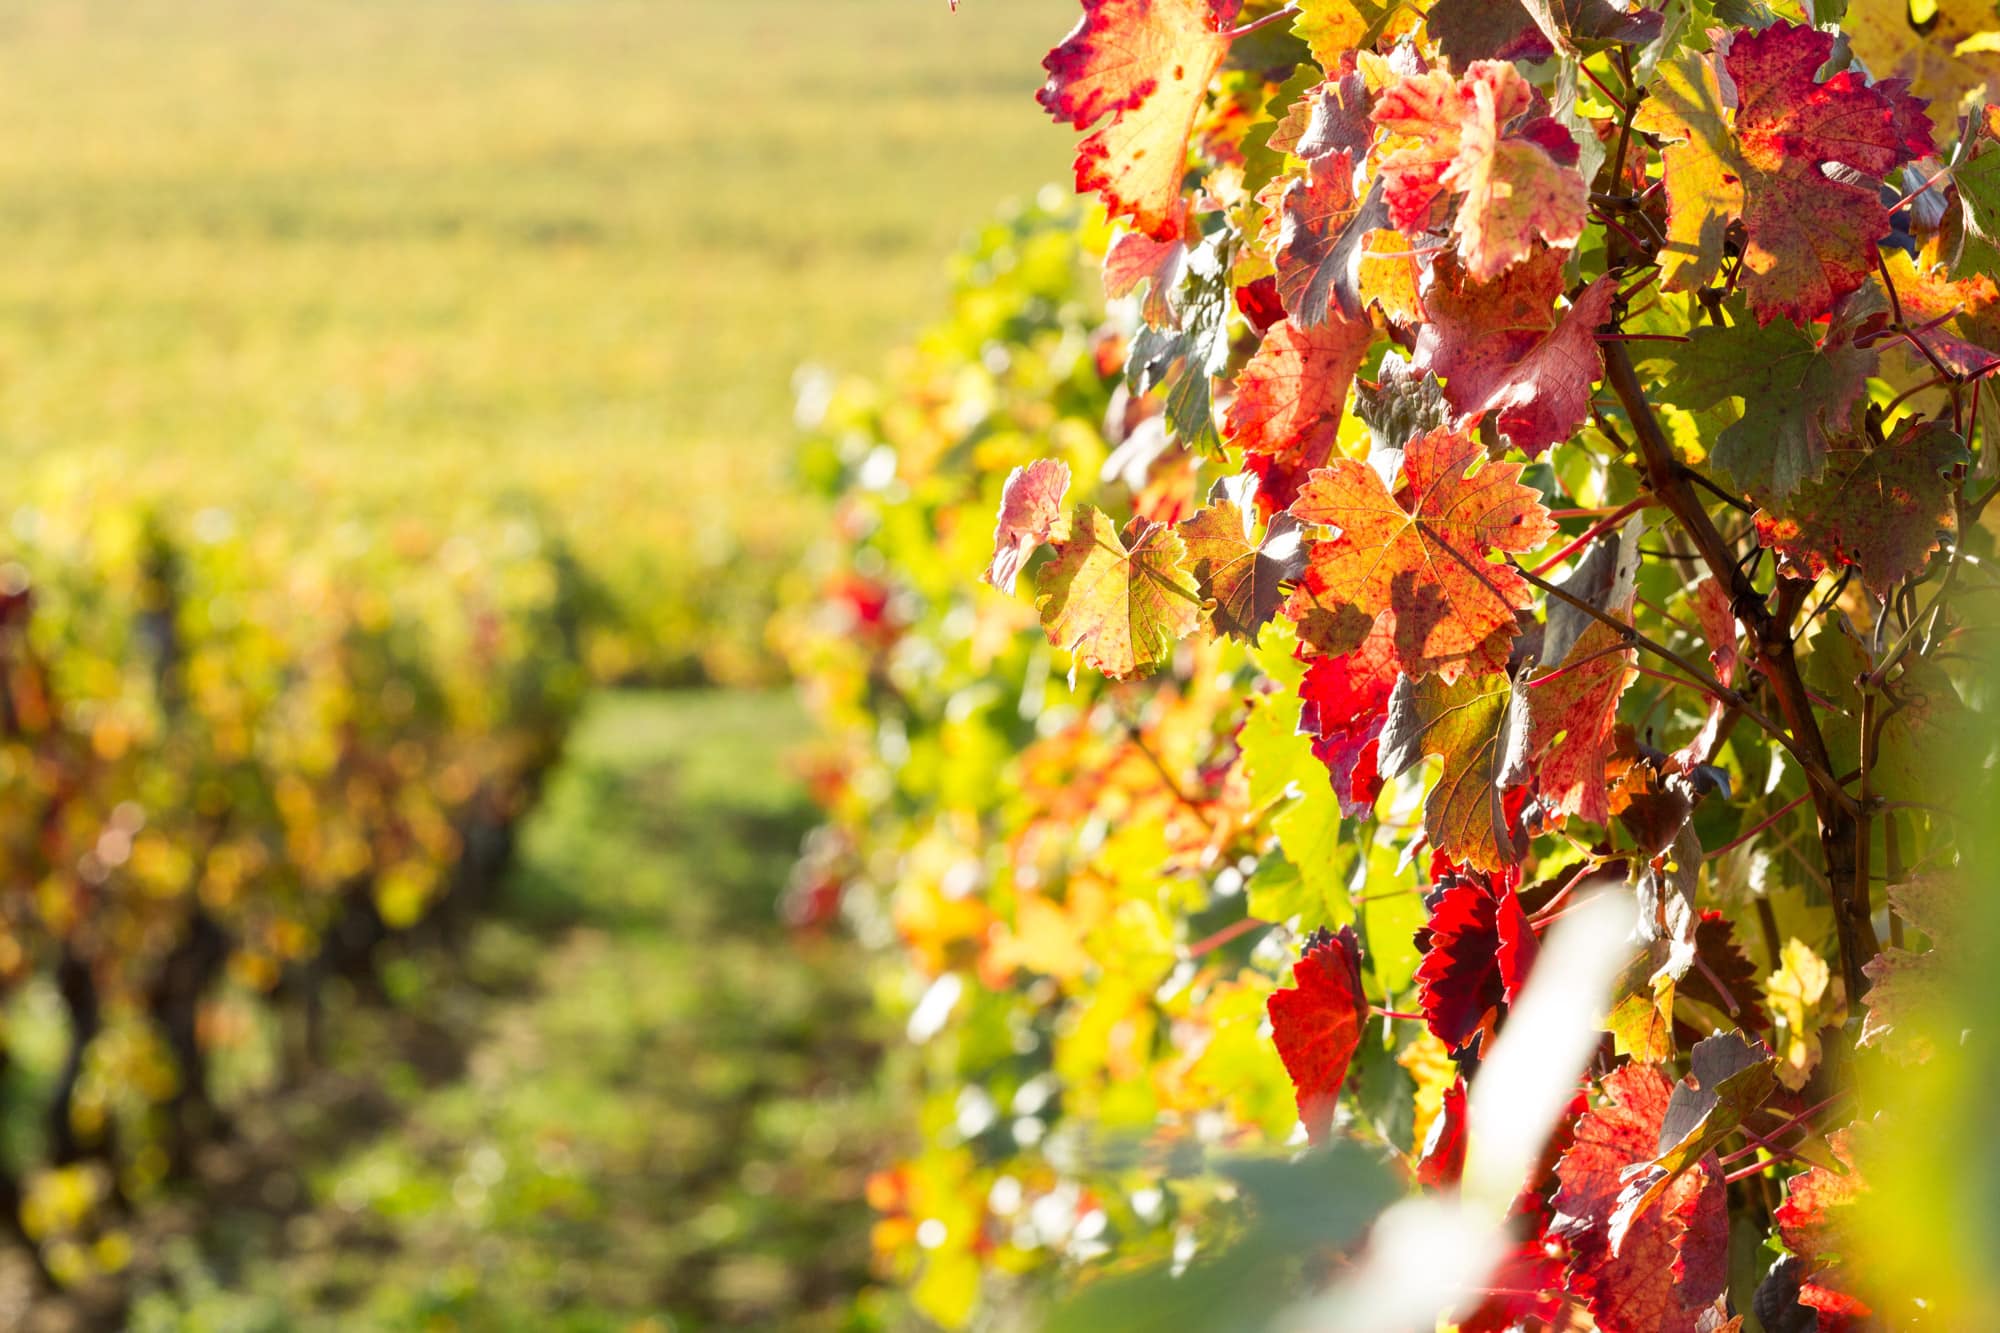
1119, 607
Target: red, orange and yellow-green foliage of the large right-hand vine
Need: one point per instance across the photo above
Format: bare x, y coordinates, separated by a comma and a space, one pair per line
1531, 449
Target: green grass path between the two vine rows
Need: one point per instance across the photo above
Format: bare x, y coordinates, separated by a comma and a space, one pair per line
633, 1096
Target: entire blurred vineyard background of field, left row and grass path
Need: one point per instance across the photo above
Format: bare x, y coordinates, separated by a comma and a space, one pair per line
391, 407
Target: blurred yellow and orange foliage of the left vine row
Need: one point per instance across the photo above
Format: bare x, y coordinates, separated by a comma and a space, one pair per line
233, 764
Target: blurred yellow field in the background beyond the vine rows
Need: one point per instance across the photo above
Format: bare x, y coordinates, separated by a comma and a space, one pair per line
393, 259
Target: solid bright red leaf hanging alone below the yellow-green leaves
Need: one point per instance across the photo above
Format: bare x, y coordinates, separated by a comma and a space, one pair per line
1317, 1024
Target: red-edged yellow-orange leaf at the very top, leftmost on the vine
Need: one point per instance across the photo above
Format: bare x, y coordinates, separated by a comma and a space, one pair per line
1143, 67
